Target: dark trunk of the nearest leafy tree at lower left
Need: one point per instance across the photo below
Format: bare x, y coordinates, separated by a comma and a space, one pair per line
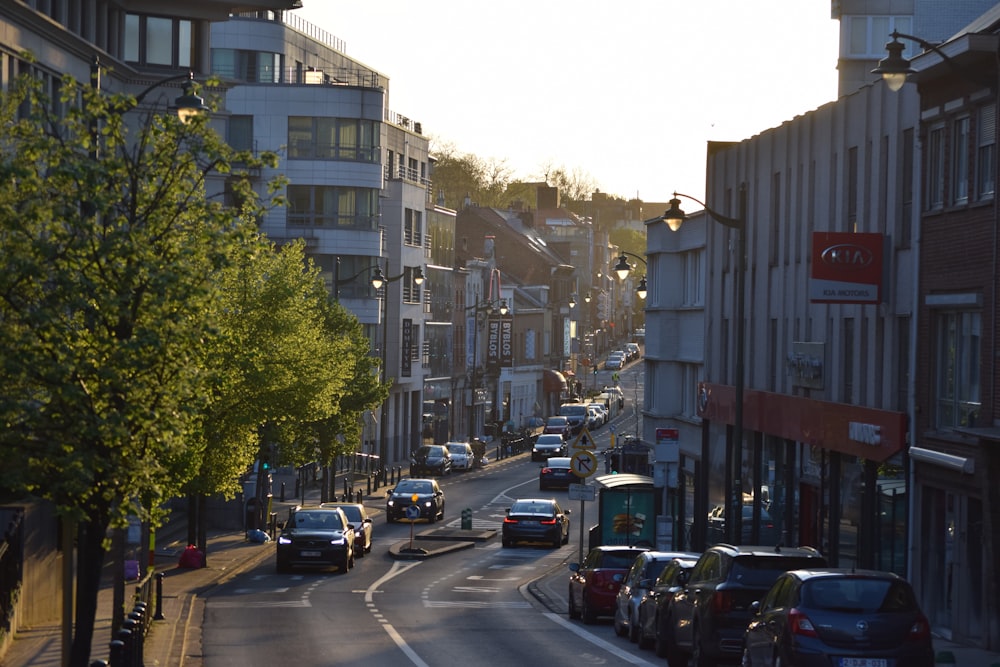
89, 563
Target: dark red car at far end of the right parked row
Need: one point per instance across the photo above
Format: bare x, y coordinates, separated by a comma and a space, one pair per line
594, 583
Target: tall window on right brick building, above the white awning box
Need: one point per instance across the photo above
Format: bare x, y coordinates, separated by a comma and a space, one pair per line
956, 363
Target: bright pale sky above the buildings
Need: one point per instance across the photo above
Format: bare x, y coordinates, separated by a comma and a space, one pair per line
628, 92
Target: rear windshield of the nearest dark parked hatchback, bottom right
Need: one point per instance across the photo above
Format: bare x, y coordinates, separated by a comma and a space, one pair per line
856, 595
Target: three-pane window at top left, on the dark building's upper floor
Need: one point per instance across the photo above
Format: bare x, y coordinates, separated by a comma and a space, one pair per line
157, 40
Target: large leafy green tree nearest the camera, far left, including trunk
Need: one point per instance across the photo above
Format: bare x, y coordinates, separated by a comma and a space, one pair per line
110, 268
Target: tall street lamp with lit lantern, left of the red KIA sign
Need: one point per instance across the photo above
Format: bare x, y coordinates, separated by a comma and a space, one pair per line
674, 216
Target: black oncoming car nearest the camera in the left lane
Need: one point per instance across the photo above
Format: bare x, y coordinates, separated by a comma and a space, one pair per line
316, 537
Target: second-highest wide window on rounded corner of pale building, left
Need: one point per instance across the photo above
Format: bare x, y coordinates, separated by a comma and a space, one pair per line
331, 206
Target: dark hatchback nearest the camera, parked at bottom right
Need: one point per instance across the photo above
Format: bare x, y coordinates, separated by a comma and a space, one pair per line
863, 617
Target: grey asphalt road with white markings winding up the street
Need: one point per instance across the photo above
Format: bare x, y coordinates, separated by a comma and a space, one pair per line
486, 605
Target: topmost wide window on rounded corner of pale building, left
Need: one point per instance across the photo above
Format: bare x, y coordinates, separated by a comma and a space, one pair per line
332, 139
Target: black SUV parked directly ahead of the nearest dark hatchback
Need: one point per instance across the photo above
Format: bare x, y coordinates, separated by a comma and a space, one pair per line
709, 617
